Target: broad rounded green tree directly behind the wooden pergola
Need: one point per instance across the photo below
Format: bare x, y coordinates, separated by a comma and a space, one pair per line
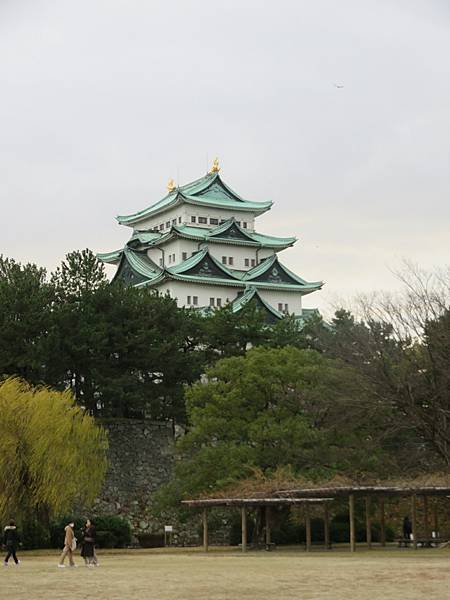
274, 408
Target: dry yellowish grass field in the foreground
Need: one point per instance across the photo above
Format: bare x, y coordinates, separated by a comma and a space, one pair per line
227, 574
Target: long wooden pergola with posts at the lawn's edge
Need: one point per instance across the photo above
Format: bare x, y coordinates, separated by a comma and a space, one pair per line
307, 497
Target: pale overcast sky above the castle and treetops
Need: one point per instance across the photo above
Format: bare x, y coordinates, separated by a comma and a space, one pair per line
101, 102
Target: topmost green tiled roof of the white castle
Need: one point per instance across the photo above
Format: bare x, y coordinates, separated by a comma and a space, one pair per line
209, 190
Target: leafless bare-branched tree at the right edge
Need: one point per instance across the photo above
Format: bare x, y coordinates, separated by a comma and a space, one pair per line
419, 319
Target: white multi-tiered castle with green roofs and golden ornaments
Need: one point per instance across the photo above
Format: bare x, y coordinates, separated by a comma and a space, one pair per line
199, 244
